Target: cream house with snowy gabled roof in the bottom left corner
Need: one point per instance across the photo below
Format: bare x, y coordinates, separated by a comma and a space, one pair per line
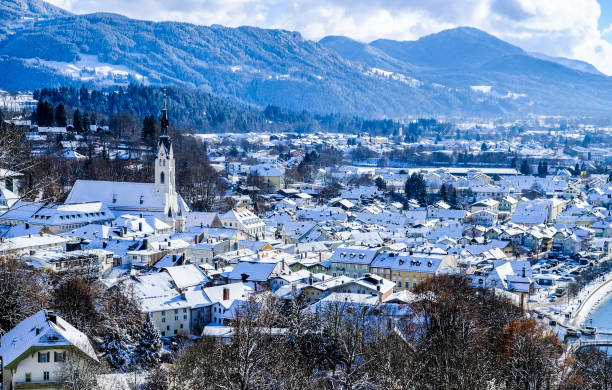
34, 352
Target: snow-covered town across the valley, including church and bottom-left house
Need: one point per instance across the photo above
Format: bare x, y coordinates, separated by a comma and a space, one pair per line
367, 231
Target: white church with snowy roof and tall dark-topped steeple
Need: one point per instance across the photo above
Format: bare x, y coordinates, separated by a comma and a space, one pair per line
158, 199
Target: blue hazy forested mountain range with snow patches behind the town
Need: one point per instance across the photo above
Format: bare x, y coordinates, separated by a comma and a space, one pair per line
459, 72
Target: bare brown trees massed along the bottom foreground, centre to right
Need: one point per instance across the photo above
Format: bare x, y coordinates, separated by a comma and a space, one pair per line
452, 336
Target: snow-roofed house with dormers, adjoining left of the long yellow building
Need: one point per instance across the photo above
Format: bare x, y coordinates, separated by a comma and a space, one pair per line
352, 261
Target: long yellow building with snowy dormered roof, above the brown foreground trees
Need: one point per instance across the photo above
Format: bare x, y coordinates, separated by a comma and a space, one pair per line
407, 270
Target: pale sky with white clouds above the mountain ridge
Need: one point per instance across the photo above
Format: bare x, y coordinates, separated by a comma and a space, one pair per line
580, 29
